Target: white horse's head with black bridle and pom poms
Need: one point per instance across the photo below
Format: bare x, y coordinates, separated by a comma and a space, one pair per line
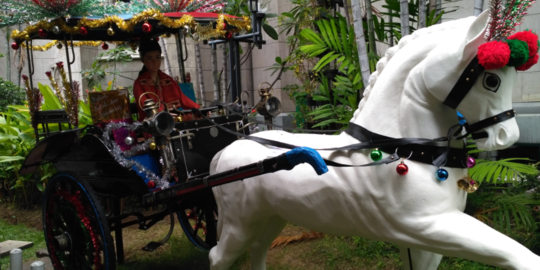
482, 81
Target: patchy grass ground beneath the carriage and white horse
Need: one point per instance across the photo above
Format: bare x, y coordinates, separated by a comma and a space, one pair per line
326, 252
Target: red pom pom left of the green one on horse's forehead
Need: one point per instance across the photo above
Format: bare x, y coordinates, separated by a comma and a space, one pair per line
494, 54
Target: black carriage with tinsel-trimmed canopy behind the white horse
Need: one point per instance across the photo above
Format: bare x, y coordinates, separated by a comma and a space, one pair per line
110, 160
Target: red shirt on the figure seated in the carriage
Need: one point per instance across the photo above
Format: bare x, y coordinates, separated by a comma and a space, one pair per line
170, 93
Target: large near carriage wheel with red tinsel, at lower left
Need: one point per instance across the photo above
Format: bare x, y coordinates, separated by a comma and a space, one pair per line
76, 231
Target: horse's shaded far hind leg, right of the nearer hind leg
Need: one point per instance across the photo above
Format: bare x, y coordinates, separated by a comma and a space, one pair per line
259, 248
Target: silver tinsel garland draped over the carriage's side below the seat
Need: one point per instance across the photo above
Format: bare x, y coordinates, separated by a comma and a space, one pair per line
120, 156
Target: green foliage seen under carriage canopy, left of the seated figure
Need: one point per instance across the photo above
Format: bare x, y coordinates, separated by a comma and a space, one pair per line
97, 72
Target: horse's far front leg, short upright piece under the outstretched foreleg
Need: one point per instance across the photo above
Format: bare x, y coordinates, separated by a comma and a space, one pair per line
416, 259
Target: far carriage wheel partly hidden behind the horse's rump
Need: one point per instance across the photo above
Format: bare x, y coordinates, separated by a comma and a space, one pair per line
198, 218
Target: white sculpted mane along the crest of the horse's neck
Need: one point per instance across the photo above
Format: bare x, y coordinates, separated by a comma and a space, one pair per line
381, 64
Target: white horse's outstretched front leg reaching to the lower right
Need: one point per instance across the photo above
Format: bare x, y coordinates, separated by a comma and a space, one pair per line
456, 234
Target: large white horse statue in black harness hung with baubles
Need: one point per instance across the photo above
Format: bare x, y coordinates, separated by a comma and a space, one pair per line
417, 212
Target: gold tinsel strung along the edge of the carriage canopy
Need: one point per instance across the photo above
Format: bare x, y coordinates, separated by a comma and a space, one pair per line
128, 25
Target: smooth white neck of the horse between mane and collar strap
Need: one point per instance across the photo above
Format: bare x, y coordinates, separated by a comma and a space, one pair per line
400, 105
